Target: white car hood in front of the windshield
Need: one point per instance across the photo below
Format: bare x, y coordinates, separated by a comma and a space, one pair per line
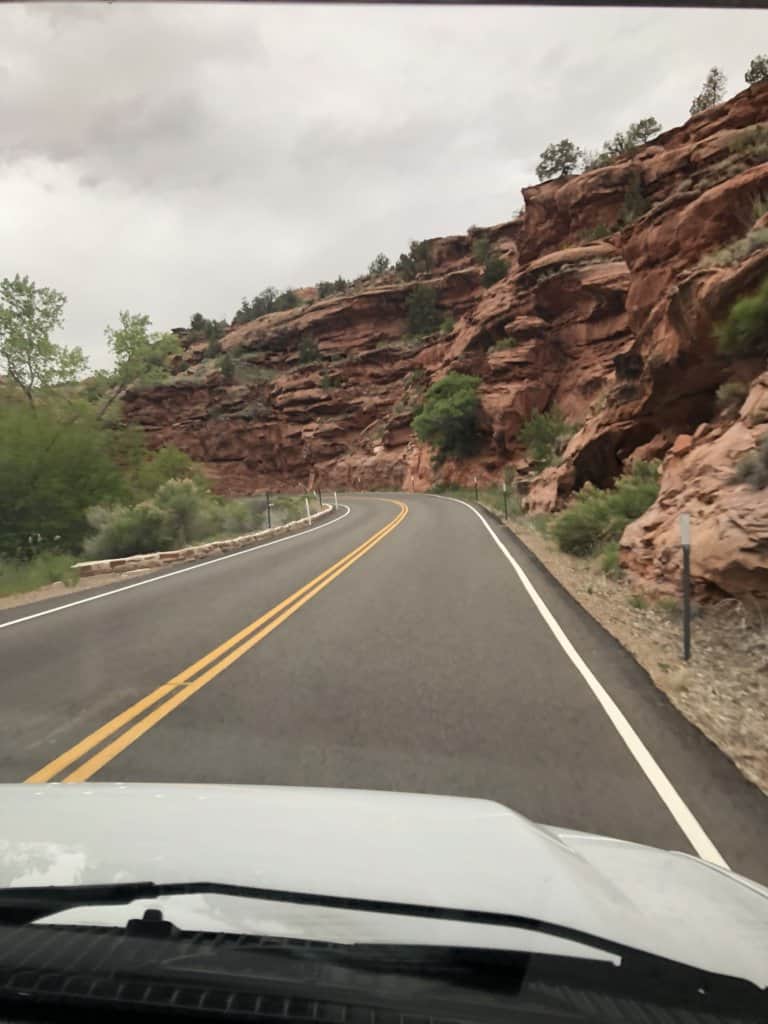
442, 851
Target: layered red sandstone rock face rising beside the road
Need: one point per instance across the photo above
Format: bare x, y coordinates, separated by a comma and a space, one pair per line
607, 312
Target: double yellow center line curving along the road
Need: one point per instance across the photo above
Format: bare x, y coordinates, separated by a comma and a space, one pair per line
146, 713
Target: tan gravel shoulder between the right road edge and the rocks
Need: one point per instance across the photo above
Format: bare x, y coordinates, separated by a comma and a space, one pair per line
723, 690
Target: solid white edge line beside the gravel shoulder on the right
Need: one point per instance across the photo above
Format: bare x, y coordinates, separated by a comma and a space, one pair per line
667, 792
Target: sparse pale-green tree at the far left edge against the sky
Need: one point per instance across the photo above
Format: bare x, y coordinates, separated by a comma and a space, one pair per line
30, 359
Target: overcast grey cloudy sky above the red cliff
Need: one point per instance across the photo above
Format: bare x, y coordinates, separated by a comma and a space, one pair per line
172, 159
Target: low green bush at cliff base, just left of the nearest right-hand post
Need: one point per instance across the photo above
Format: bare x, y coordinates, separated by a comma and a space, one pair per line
595, 518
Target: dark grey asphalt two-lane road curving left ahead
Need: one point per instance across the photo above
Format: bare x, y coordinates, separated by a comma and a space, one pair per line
422, 664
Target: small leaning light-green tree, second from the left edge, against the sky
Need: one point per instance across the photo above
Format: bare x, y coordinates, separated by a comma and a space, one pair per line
141, 356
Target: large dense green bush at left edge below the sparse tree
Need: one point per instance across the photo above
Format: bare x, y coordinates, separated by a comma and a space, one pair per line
54, 465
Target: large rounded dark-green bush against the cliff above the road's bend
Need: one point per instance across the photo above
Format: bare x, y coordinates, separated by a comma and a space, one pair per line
448, 419
